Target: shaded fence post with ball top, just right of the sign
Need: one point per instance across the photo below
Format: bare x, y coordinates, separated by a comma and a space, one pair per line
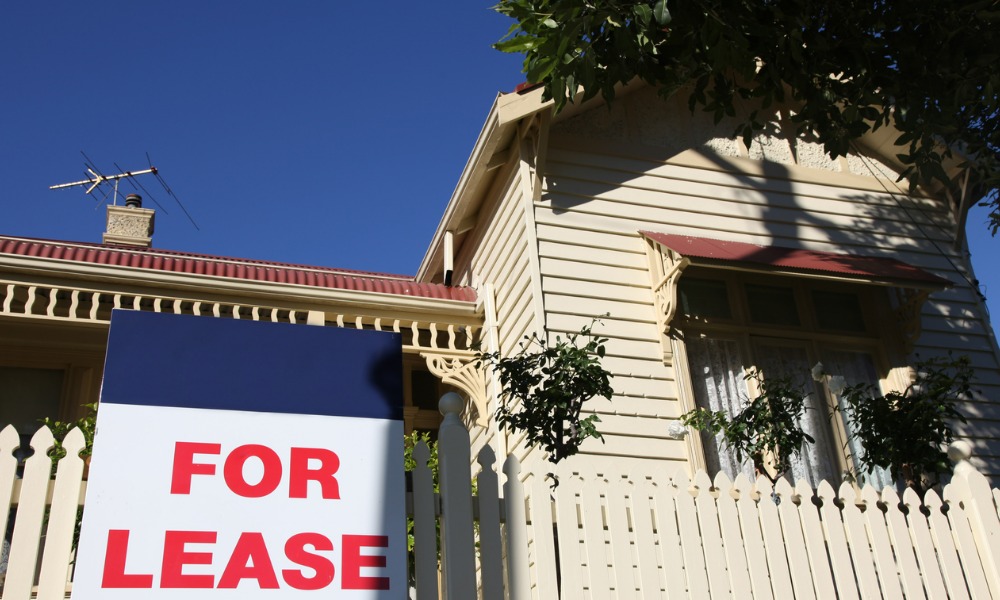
455, 459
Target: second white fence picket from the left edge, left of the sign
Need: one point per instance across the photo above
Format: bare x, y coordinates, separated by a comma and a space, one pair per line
28, 522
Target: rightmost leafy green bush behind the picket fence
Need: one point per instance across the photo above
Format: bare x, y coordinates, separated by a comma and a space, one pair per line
908, 433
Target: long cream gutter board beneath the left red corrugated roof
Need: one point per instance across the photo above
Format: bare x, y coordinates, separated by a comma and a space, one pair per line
164, 282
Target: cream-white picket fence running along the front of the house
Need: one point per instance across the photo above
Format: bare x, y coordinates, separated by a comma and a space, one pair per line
600, 536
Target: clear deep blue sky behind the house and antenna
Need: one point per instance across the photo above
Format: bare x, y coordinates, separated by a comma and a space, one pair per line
315, 132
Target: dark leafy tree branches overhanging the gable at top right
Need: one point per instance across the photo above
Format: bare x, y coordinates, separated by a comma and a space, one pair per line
929, 68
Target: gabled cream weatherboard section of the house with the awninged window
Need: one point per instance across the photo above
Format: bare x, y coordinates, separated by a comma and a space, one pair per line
709, 258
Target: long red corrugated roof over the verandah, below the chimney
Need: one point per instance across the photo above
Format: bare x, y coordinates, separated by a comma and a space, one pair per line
232, 268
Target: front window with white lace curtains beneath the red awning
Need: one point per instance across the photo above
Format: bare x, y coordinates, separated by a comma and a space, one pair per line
731, 323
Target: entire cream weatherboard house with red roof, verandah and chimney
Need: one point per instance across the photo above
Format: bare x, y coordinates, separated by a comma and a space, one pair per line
703, 259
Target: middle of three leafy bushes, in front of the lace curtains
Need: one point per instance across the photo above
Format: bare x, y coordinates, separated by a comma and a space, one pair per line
767, 429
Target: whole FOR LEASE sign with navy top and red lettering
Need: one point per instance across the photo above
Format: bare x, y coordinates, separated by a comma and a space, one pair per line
238, 459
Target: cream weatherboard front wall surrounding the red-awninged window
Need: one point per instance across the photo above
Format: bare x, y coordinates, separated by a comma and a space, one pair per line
601, 187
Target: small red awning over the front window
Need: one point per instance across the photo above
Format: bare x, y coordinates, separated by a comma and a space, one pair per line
849, 265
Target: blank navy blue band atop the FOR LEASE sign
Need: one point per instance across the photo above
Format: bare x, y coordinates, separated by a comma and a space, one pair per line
157, 359
